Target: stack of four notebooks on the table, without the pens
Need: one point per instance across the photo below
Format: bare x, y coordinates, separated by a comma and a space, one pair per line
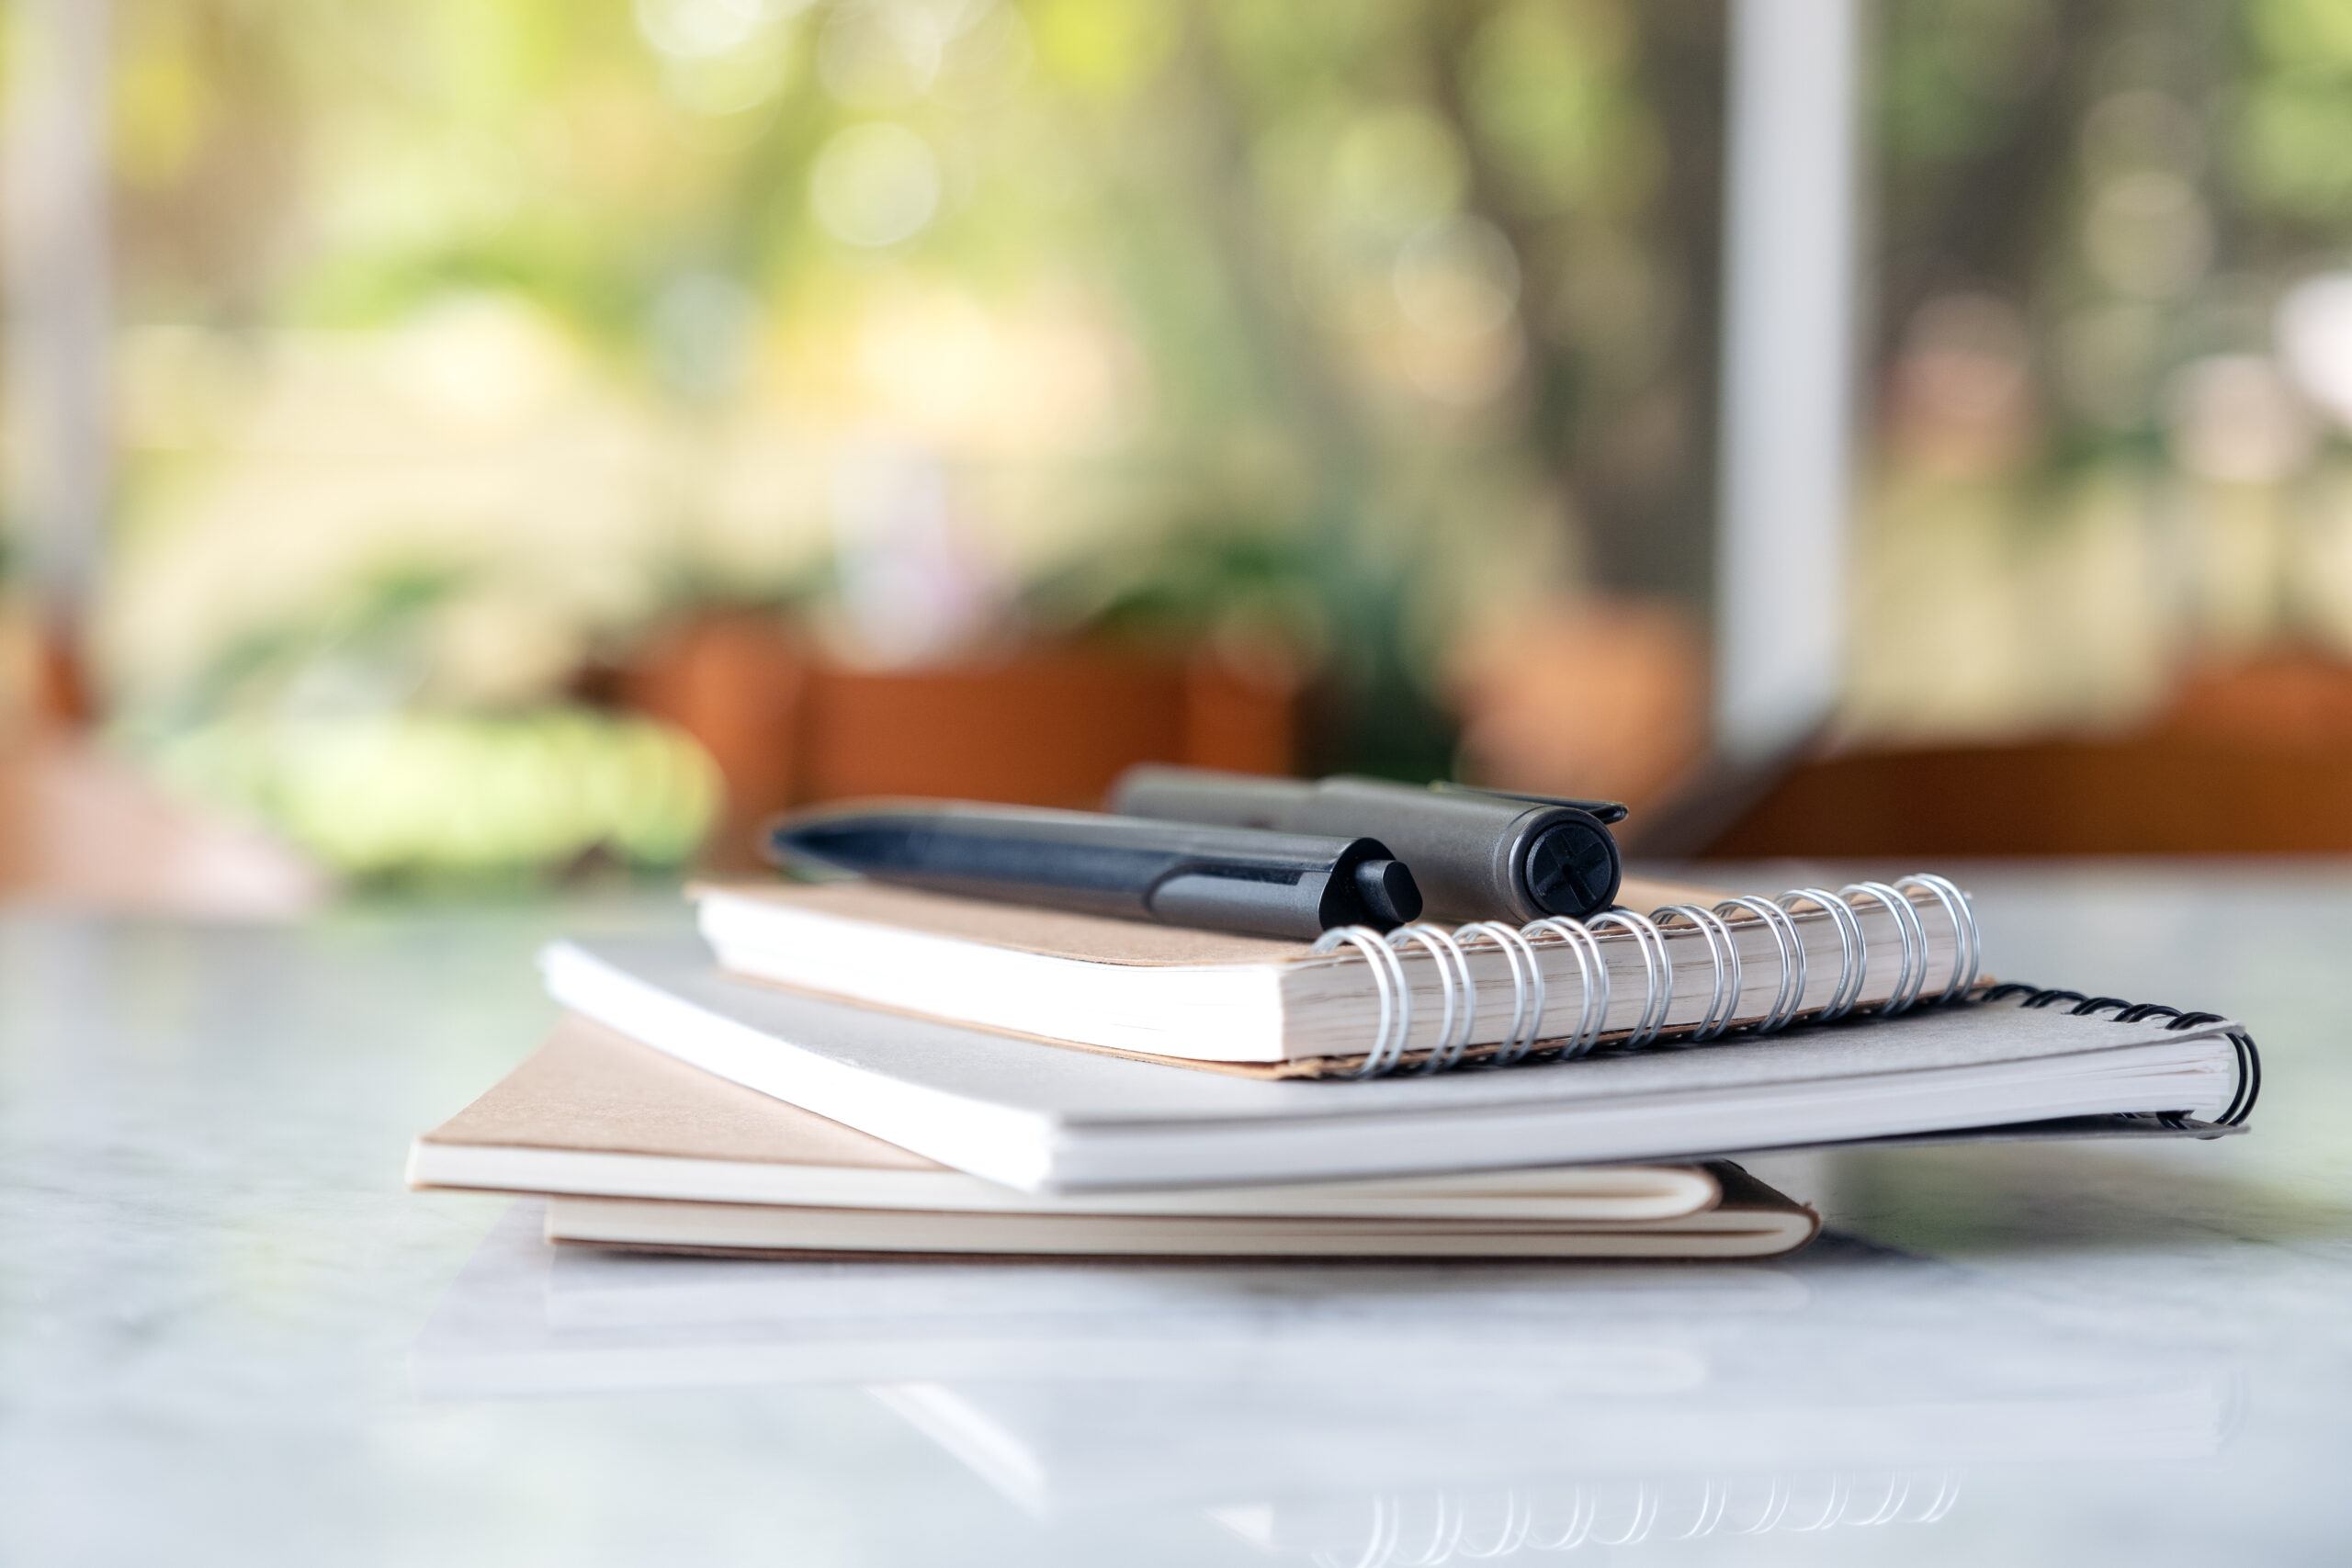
853, 1071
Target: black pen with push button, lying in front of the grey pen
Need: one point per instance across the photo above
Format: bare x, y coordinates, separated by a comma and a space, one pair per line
1172, 873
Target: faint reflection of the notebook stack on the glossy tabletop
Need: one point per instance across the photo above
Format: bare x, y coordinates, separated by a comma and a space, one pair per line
1379, 1416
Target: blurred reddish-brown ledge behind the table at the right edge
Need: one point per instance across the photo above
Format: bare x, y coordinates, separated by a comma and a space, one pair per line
2245, 760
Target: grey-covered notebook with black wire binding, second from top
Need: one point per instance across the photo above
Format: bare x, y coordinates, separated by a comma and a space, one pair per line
1050, 1120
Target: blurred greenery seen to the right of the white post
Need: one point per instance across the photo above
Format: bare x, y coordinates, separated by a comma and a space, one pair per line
2111, 356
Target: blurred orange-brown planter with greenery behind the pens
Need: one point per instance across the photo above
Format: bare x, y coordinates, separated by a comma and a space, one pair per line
1189, 652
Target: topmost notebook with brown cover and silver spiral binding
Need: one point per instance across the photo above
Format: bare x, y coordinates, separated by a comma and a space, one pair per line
1361, 1003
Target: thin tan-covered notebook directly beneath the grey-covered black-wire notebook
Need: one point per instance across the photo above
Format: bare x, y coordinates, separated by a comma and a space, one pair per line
594, 1113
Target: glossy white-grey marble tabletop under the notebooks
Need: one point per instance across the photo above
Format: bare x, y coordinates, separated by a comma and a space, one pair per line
229, 1334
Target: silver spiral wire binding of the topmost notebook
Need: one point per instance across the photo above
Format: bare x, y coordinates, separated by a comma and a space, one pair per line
1459, 998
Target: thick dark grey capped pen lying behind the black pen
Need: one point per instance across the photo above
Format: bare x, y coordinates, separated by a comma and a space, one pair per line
1476, 855
